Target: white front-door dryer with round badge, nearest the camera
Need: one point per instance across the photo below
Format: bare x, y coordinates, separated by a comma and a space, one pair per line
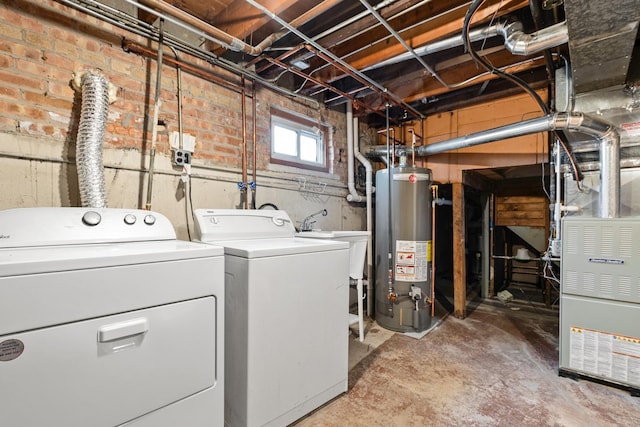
107, 320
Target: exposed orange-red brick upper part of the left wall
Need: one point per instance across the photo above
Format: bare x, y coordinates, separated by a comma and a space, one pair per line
42, 45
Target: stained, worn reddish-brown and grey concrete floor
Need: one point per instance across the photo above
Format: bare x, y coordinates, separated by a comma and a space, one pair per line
498, 367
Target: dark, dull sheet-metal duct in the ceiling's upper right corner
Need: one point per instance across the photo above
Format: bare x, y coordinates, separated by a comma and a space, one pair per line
601, 40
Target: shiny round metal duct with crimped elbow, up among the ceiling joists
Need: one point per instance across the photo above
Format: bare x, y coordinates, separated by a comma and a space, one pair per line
516, 41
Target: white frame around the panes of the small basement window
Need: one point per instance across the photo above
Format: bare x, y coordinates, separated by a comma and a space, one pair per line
302, 126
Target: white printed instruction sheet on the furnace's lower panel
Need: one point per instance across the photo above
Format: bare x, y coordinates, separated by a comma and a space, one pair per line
605, 354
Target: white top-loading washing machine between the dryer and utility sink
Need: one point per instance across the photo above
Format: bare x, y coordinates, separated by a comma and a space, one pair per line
286, 330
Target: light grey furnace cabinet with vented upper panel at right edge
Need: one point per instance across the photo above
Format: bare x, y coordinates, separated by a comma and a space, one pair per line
600, 300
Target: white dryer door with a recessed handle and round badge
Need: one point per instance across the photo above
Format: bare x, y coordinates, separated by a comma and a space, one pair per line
109, 370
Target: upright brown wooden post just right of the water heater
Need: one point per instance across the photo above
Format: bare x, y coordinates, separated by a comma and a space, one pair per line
459, 258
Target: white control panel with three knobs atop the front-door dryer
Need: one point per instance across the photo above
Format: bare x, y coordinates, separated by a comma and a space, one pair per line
24, 227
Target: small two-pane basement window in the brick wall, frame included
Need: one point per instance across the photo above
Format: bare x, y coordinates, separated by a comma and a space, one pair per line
297, 141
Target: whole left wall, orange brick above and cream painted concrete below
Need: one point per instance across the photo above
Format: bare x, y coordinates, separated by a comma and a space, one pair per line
42, 45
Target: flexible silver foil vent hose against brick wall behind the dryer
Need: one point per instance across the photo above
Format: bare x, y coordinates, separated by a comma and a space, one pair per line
97, 94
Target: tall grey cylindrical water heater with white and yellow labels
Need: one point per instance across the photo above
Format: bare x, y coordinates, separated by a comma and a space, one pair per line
403, 249
